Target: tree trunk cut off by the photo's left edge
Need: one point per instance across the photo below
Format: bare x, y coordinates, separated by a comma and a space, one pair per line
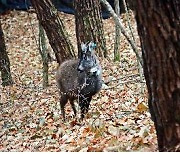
4, 62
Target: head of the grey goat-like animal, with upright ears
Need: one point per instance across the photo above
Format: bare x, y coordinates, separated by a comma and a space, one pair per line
88, 61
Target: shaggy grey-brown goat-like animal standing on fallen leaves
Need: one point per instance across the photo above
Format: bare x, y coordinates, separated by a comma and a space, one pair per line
79, 79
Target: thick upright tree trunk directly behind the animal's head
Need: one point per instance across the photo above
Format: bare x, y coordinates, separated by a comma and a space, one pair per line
89, 26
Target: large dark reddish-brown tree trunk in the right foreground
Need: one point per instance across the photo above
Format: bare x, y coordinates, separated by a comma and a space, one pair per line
159, 29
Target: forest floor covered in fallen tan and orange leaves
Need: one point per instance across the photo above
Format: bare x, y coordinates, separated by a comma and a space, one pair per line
30, 117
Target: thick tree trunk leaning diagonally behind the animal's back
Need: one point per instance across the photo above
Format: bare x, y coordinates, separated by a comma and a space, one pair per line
55, 30
